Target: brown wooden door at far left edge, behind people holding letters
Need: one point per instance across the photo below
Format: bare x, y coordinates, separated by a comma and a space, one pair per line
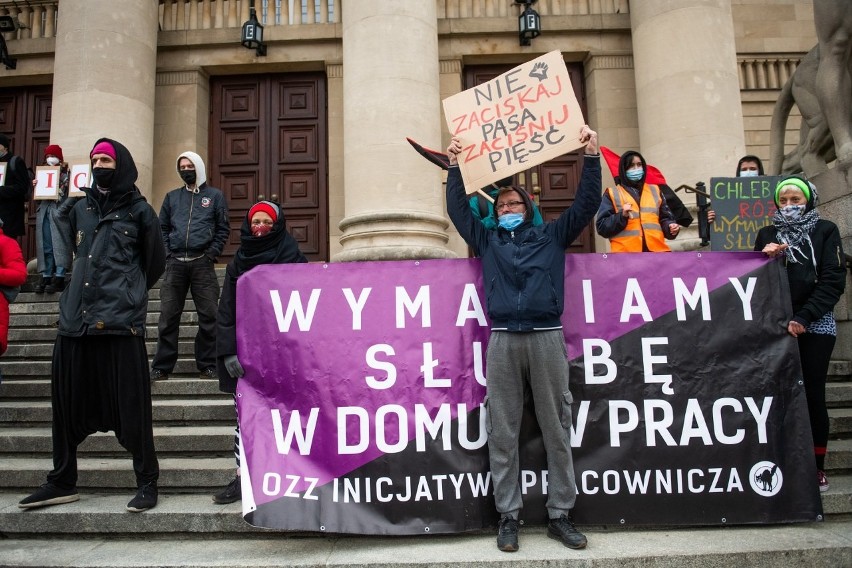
25, 118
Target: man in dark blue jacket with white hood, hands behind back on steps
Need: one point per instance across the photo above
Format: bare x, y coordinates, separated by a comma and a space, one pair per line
194, 222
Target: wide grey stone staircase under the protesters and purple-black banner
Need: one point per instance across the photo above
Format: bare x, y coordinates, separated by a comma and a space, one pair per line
193, 429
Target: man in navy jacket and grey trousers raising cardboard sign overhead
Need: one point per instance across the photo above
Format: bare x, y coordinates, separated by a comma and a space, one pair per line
523, 269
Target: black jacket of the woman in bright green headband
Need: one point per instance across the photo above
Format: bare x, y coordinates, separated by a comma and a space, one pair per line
813, 290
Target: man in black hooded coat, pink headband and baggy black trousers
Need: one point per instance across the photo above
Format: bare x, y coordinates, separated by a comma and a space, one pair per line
99, 377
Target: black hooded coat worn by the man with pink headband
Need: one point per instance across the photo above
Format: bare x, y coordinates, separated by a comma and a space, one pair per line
120, 256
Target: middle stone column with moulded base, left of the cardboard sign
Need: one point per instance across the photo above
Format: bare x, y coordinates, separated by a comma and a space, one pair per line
394, 207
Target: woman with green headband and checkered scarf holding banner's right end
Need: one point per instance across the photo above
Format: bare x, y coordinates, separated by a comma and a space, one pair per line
813, 255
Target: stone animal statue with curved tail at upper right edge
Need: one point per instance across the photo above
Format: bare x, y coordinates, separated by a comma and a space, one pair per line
821, 87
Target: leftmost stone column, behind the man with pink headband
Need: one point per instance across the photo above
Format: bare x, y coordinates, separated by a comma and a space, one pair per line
104, 79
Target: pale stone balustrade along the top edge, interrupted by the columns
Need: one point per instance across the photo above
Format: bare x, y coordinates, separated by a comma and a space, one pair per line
38, 17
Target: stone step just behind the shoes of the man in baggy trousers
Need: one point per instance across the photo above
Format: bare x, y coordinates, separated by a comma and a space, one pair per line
178, 474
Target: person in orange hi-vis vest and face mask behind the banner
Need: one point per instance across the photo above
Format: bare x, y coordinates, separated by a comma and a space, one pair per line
634, 215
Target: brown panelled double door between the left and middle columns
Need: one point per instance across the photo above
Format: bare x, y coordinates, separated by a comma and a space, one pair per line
268, 140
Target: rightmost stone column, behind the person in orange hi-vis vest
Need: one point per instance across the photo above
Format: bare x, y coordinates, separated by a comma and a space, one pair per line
687, 88
